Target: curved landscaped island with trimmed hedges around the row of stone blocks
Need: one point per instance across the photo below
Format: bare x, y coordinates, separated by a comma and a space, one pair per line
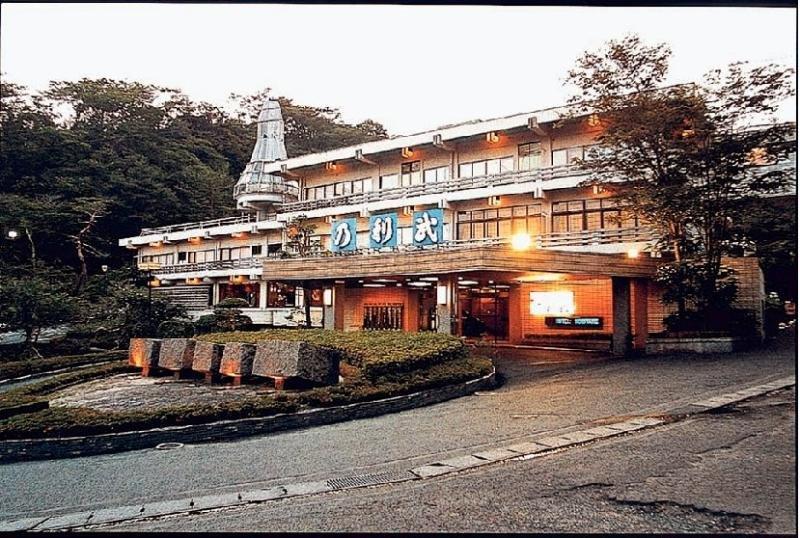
373, 365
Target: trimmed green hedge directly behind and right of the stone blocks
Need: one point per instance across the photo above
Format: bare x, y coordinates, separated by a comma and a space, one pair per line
376, 353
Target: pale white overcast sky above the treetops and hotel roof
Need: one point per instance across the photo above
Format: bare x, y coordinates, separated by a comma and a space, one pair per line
411, 68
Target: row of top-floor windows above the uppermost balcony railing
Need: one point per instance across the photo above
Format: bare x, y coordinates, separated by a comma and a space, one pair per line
411, 173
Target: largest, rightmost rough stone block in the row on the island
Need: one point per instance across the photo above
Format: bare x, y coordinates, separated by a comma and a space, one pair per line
280, 358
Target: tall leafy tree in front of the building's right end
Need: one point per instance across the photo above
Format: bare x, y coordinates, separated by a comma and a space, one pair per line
684, 157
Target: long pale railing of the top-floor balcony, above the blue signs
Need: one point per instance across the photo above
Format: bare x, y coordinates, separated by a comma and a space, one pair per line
508, 178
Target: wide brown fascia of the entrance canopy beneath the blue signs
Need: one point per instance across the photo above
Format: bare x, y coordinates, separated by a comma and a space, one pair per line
492, 258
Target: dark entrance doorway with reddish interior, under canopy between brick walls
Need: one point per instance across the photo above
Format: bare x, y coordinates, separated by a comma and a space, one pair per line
484, 311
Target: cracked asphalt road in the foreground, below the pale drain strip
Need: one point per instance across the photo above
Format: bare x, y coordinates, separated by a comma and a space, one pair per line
732, 472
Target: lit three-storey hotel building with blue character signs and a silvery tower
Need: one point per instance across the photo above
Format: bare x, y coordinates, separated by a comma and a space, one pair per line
481, 228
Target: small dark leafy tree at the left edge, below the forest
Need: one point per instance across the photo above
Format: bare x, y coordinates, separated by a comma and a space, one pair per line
34, 300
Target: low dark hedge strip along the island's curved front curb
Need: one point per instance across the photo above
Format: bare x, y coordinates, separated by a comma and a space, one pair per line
75, 421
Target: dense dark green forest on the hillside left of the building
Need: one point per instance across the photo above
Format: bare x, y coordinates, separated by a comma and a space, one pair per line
85, 163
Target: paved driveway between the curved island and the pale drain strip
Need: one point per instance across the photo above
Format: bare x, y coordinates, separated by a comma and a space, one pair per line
534, 400
